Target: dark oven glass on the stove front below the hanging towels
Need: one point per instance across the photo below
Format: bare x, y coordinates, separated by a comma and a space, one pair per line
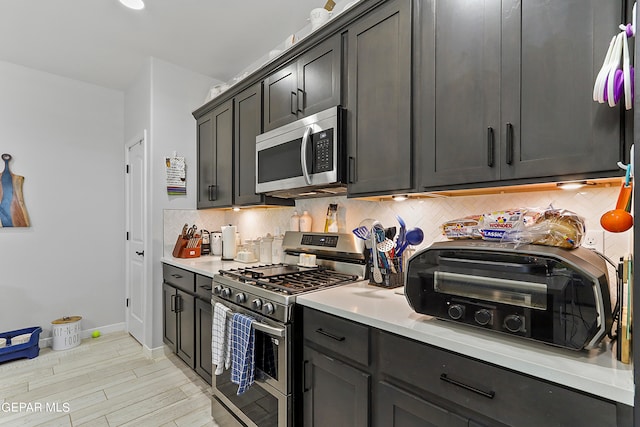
255, 403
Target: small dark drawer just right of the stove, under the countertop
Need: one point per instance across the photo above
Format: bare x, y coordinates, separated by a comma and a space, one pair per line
341, 336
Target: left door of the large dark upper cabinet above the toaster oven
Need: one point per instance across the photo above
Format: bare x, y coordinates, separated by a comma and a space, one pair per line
459, 92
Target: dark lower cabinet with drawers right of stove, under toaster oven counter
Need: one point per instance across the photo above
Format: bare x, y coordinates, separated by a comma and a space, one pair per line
355, 375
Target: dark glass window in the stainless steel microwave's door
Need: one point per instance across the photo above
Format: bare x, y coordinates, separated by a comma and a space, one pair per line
280, 162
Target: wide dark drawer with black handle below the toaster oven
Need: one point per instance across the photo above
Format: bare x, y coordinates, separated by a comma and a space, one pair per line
502, 395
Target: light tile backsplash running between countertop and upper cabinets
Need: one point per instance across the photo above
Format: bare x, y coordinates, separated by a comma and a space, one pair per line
428, 214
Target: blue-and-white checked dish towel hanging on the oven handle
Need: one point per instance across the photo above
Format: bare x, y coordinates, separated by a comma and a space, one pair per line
242, 352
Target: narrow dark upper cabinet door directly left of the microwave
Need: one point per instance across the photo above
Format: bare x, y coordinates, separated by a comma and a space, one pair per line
248, 124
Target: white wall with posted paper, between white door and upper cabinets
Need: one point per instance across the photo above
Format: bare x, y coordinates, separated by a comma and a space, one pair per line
161, 100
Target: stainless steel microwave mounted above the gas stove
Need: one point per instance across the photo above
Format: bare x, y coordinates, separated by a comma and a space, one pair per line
305, 158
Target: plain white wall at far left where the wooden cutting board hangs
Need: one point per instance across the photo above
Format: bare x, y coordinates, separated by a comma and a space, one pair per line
66, 140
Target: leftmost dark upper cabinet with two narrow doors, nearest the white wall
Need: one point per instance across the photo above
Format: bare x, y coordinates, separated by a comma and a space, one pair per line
215, 157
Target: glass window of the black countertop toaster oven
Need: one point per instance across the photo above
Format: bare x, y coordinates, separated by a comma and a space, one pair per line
513, 292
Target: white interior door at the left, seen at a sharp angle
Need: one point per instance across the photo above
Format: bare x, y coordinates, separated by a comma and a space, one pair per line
136, 223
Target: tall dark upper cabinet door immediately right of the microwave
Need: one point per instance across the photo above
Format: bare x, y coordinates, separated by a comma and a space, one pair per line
379, 101
